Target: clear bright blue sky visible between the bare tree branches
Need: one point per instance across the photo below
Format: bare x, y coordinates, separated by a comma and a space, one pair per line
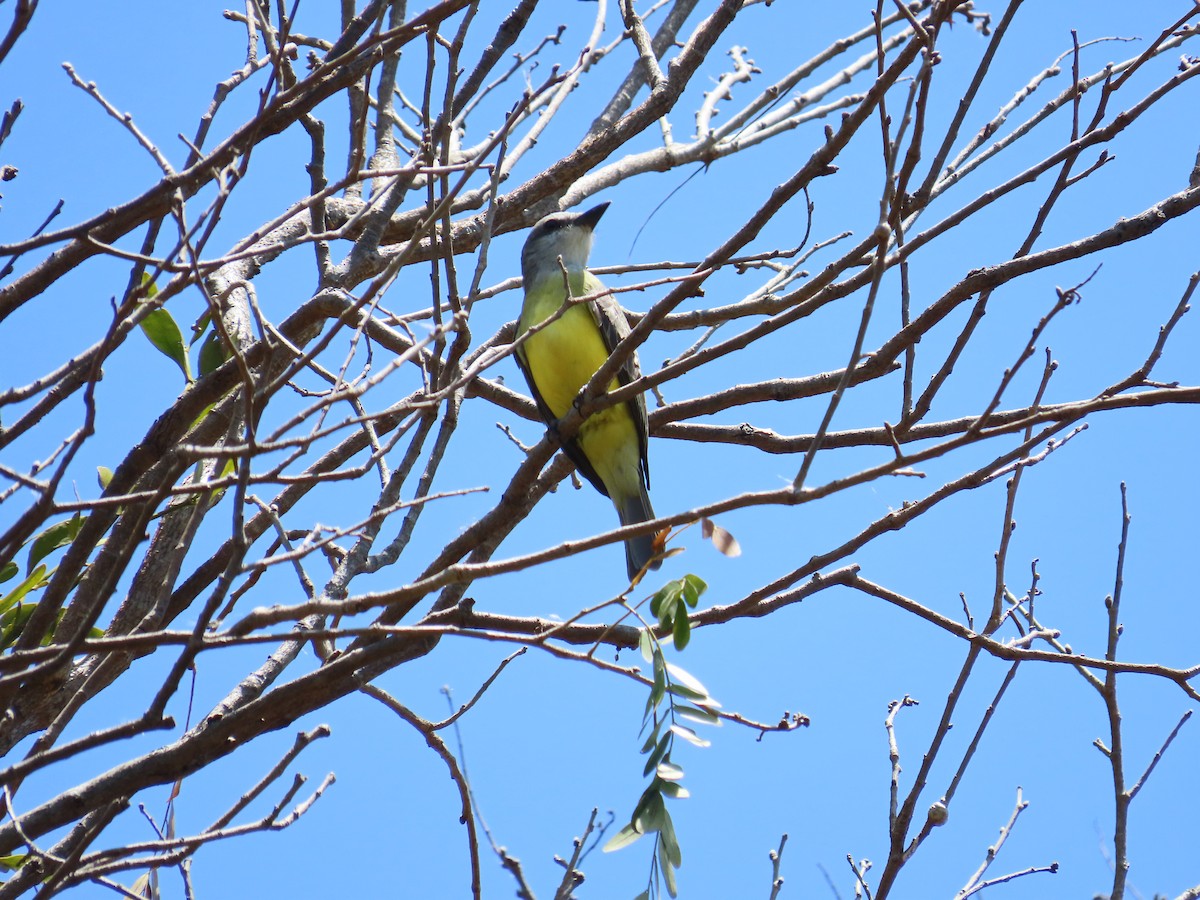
551, 741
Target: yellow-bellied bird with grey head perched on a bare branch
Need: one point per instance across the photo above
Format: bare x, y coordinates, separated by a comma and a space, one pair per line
610, 448
